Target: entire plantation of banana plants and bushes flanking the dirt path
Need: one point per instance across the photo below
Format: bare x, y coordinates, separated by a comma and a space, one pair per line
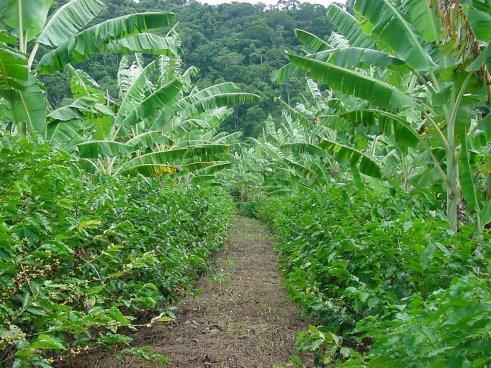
378, 184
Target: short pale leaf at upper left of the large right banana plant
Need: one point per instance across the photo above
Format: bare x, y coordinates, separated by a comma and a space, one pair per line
348, 26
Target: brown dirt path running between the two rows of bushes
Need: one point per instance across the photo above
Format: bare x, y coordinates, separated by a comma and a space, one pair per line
241, 318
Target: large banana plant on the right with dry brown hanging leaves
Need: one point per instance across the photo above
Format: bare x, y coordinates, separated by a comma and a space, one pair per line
420, 71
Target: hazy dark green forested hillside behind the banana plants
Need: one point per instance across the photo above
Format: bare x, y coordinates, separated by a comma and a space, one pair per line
236, 42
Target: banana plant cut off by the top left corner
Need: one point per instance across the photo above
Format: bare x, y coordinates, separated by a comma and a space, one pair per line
64, 38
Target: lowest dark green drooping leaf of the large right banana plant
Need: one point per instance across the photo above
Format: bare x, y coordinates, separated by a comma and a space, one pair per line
389, 123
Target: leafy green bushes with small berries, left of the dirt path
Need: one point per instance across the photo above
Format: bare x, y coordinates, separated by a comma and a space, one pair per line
81, 257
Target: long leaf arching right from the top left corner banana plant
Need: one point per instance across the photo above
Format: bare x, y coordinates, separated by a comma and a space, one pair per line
95, 39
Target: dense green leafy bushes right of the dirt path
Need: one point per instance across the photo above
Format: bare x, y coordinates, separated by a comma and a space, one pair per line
380, 268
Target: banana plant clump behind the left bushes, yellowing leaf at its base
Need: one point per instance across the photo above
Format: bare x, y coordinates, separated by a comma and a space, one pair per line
161, 124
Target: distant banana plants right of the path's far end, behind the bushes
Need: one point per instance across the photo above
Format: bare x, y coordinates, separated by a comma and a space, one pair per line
304, 150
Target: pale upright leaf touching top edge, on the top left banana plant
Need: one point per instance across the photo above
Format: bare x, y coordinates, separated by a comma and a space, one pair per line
68, 20
